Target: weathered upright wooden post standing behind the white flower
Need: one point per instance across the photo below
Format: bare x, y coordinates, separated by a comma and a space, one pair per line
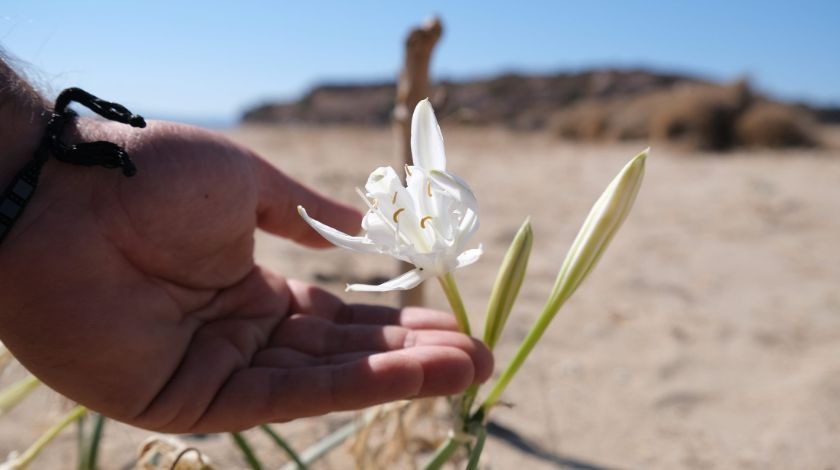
412, 87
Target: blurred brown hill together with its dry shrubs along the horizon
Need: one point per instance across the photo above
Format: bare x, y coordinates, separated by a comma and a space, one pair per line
606, 104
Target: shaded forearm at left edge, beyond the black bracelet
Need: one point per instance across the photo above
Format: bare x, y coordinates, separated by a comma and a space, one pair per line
23, 116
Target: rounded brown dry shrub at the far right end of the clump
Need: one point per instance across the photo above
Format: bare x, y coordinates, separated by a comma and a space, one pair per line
767, 124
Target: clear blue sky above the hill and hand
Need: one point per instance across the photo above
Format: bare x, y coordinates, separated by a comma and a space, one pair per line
210, 60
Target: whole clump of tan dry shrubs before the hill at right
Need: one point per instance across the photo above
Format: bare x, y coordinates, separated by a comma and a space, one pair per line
696, 116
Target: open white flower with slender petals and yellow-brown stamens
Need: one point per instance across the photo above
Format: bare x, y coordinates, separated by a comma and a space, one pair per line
427, 222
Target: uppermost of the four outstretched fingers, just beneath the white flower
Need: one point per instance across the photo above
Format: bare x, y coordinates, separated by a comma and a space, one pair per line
312, 300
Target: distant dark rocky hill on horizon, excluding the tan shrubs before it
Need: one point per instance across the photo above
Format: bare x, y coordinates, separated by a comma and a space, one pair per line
520, 101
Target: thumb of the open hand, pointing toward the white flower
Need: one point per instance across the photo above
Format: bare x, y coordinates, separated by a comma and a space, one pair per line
279, 196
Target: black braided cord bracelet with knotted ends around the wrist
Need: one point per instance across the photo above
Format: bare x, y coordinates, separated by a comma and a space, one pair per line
102, 153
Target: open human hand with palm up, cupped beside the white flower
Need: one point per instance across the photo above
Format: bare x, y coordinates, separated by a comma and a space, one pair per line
139, 297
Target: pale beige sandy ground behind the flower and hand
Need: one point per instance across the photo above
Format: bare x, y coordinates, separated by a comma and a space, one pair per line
707, 338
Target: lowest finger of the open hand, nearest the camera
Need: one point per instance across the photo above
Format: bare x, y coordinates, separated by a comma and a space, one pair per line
258, 395
